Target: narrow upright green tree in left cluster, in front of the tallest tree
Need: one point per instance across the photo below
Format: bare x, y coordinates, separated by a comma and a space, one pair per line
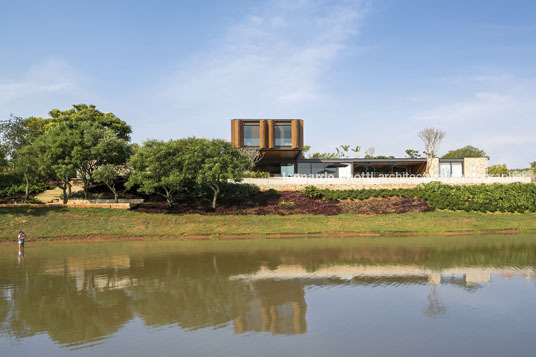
55, 153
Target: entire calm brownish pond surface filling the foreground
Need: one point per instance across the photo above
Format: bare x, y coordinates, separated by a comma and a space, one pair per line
454, 296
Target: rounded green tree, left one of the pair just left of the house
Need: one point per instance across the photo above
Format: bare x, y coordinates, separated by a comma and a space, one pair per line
159, 168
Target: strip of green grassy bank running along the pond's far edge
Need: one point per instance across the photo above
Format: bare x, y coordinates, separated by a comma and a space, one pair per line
64, 222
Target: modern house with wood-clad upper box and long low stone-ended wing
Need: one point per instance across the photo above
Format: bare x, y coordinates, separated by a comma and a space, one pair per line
280, 143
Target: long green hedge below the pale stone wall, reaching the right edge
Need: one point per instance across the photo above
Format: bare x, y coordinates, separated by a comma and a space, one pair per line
514, 197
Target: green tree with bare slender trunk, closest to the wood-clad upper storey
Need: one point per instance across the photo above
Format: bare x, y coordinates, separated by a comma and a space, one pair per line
215, 162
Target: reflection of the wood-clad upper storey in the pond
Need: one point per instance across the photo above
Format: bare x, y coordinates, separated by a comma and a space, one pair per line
274, 306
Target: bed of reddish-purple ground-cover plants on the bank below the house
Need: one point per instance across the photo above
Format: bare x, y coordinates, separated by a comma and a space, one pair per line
291, 202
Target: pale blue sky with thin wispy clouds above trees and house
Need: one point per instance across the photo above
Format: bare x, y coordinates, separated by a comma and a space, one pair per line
368, 73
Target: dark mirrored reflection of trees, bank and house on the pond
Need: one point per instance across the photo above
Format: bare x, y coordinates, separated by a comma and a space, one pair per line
83, 293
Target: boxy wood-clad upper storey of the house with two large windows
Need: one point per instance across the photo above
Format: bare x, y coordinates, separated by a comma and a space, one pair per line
267, 134
